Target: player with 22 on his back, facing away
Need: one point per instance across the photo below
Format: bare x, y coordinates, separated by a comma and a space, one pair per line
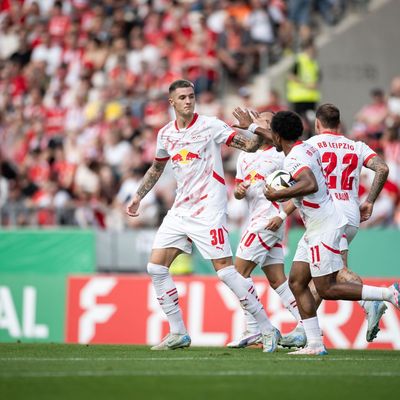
343, 159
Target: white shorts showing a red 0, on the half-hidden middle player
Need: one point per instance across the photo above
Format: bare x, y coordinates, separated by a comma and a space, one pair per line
262, 247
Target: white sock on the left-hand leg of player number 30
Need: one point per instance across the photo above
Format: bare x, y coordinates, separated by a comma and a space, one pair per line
167, 296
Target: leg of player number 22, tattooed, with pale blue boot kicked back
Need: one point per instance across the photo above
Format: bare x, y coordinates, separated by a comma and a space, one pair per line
373, 309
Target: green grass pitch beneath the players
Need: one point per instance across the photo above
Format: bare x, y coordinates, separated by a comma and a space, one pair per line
54, 371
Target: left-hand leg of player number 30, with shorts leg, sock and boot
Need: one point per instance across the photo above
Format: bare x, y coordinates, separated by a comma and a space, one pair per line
168, 244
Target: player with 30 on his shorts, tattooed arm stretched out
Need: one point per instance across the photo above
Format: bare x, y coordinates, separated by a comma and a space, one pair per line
192, 144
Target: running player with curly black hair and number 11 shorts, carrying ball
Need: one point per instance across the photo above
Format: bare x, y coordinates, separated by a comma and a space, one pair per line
325, 226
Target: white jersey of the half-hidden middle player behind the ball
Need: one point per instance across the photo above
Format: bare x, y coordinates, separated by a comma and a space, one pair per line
254, 168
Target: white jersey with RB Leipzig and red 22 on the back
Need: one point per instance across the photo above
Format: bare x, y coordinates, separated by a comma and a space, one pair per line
343, 159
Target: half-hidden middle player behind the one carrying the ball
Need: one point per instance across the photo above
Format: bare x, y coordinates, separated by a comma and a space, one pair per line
259, 244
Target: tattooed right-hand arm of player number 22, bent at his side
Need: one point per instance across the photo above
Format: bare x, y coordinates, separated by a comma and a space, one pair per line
381, 173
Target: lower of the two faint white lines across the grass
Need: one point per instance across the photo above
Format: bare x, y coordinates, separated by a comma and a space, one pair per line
90, 373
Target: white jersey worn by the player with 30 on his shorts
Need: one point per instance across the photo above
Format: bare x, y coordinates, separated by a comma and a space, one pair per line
195, 155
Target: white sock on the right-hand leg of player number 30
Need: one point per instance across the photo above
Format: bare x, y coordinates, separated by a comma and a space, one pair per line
245, 292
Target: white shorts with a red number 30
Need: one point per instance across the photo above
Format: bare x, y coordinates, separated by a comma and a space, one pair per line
210, 236
